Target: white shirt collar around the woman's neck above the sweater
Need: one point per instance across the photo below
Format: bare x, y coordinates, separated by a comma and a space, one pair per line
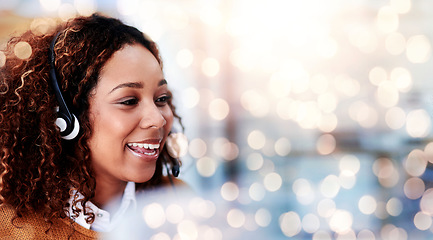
104, 222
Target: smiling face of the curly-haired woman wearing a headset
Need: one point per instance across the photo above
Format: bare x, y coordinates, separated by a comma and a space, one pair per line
130, 116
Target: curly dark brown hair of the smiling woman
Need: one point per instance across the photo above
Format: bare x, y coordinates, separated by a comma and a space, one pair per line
38, 169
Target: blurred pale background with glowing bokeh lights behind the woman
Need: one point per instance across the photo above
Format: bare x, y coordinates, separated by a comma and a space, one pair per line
306, 119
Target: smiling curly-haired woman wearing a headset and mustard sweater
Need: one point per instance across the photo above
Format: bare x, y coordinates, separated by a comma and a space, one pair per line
109, 78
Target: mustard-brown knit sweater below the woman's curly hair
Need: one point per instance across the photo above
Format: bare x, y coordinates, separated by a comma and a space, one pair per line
33, 226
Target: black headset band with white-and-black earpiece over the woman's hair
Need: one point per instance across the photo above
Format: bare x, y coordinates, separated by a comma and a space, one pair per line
66, 120
